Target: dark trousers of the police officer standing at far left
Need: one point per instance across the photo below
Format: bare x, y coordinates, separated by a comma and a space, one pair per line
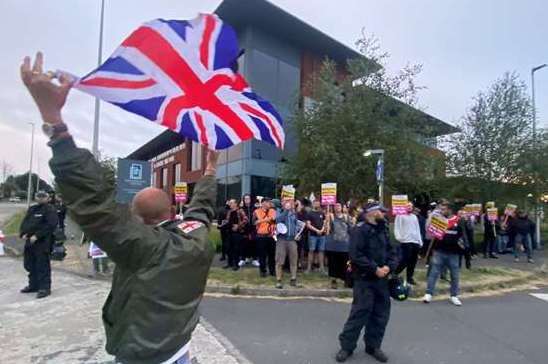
36, 260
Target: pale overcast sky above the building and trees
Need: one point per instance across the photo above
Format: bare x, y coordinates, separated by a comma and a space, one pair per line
463, 45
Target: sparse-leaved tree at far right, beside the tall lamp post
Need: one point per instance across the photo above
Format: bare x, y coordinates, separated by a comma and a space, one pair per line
495, 143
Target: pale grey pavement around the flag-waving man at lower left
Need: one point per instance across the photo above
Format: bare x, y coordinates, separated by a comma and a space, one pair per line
66, 327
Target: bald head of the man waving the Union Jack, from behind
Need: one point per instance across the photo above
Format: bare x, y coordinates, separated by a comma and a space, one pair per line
152, 205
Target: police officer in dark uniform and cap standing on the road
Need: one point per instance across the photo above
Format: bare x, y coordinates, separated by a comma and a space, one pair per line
373, 258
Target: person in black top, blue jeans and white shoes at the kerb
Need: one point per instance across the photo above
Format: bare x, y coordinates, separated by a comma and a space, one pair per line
447, 252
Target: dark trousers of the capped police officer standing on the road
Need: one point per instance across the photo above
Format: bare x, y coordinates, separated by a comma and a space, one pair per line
370, 309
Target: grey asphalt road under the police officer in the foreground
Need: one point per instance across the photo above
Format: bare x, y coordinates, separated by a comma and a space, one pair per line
501, 330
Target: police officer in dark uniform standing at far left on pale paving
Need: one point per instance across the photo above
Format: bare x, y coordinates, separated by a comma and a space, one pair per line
37, 229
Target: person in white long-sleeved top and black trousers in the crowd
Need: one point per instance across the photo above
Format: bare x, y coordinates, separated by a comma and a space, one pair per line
408, 233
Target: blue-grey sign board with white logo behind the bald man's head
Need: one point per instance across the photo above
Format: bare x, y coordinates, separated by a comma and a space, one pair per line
133, 176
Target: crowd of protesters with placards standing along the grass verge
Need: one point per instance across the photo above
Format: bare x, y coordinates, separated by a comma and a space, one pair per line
304, 236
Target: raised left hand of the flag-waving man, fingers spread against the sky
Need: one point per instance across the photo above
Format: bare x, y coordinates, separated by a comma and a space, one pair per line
48, 96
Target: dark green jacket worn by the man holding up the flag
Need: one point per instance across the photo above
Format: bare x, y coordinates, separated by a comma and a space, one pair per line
161, 271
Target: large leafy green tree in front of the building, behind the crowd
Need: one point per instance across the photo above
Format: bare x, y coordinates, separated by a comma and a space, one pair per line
369, 108
